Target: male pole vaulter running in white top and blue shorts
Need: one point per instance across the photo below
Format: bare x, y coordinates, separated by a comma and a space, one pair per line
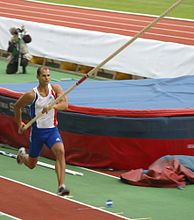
44, 130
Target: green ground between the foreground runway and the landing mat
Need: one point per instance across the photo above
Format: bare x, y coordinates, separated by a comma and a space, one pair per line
95, 188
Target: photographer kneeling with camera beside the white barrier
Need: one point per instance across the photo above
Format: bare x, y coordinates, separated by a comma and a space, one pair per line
19, 54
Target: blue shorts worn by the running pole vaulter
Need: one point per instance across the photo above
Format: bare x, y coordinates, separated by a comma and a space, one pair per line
41, 136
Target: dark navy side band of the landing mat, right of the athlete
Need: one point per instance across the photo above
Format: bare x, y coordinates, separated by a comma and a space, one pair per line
147, 128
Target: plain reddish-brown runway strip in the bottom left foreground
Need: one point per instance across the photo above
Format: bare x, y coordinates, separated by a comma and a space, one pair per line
24, 202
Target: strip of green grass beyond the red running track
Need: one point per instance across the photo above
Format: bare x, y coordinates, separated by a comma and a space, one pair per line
152, 7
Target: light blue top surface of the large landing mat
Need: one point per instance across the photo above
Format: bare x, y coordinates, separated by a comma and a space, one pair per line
127, 94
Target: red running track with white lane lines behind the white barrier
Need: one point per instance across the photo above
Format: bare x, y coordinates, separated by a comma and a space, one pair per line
169, 30
